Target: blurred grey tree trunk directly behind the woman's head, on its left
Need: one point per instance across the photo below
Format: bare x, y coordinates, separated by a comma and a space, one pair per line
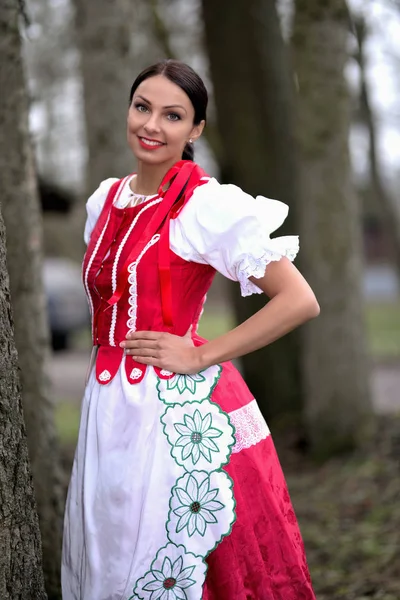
103, 32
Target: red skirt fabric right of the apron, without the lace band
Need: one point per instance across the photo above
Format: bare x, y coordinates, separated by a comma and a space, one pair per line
263, 558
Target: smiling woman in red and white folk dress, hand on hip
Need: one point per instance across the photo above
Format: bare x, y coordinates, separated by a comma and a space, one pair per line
176, 491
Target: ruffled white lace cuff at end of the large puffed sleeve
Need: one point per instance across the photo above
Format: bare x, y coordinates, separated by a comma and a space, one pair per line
249, 266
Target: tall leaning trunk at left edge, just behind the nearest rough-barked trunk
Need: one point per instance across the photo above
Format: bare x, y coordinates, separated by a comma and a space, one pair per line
22, 217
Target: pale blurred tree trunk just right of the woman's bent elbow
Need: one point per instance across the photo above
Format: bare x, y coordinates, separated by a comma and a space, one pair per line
334, 361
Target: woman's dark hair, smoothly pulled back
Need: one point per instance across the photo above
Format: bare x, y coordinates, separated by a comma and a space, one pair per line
187, 79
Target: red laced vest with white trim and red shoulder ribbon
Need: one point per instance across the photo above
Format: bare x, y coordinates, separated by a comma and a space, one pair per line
133, 281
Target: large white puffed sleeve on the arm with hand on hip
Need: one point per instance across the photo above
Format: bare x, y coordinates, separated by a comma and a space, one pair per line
230, 230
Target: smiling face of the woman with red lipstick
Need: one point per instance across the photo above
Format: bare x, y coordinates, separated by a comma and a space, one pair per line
160, 121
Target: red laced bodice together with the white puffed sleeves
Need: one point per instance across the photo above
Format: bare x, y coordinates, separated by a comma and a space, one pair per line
217, 228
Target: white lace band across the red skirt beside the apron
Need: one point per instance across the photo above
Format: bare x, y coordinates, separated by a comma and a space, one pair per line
250, 426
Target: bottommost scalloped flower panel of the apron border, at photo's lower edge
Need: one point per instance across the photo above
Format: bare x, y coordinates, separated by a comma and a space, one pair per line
172, 573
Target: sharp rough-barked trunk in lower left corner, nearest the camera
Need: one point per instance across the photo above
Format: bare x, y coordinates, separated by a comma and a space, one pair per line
21, 576
